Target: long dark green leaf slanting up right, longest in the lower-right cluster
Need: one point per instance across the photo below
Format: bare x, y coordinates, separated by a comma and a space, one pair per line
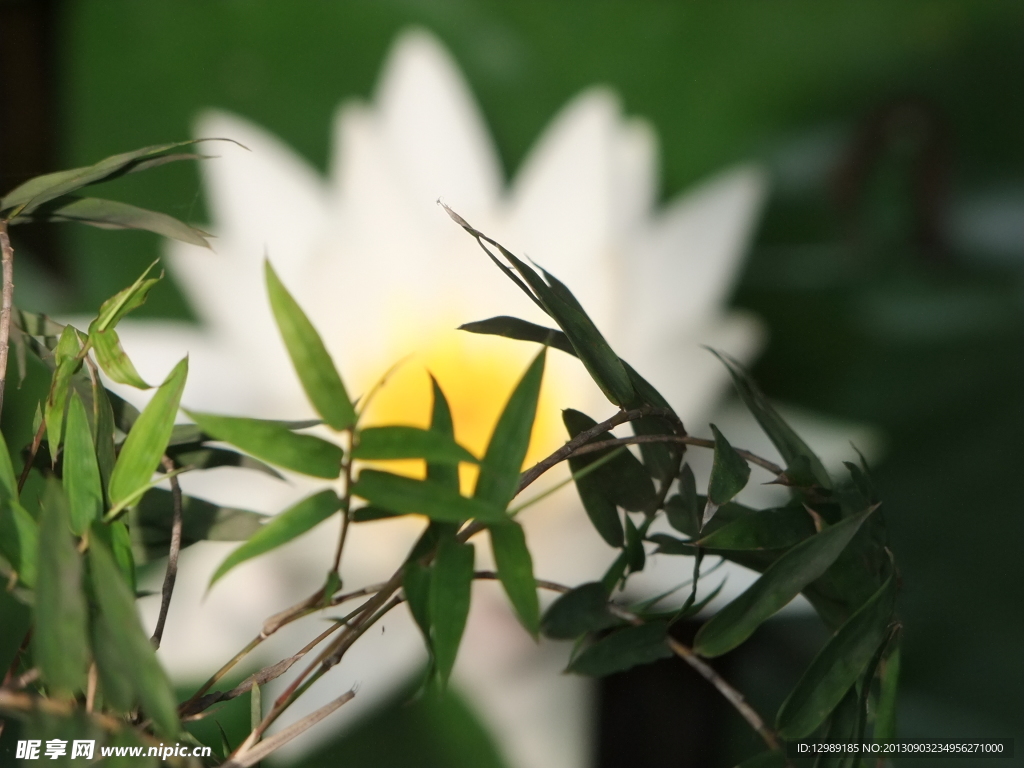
782, 582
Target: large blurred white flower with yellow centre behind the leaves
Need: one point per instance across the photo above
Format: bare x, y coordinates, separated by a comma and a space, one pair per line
382, 273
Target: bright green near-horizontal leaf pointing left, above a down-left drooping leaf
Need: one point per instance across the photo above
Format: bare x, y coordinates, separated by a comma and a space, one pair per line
274, 443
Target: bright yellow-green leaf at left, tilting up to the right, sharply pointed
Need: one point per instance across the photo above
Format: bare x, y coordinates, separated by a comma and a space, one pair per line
147, 442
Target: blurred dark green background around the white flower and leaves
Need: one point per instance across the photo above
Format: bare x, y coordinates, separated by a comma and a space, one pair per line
889, 266
